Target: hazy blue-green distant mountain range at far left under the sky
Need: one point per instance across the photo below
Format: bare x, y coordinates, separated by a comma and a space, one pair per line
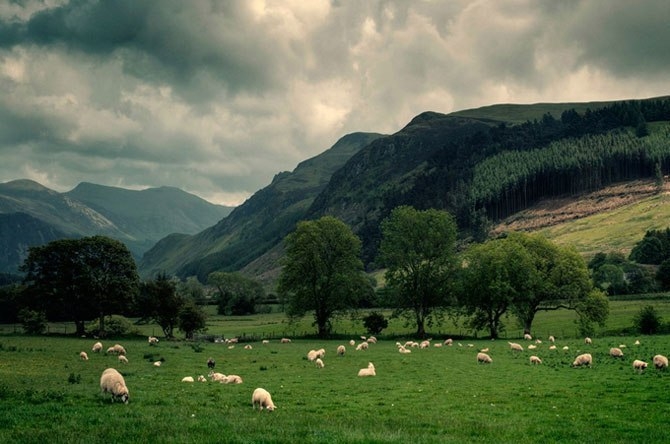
33, 215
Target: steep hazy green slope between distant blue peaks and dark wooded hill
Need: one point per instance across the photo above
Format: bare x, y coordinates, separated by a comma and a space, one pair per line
256, 226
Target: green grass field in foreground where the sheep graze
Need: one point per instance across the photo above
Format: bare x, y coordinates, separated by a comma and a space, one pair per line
47, 394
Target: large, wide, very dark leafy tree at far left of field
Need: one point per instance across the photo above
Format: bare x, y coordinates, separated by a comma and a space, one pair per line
80, 279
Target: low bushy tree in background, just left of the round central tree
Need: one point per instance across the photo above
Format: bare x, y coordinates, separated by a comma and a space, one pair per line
238, 294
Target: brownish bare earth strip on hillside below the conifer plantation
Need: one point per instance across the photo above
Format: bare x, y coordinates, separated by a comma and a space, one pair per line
549, 212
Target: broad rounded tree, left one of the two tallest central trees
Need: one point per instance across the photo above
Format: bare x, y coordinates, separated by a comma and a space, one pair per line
322, 271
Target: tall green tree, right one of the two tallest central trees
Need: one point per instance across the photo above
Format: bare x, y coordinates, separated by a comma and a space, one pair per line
417, 247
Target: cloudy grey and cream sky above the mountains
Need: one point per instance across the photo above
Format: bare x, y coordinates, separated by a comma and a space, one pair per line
216, 97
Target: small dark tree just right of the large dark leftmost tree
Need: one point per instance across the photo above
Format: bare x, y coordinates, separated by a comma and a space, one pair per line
159, 302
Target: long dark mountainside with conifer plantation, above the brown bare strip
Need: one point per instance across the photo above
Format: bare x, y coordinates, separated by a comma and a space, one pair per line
481, 165
